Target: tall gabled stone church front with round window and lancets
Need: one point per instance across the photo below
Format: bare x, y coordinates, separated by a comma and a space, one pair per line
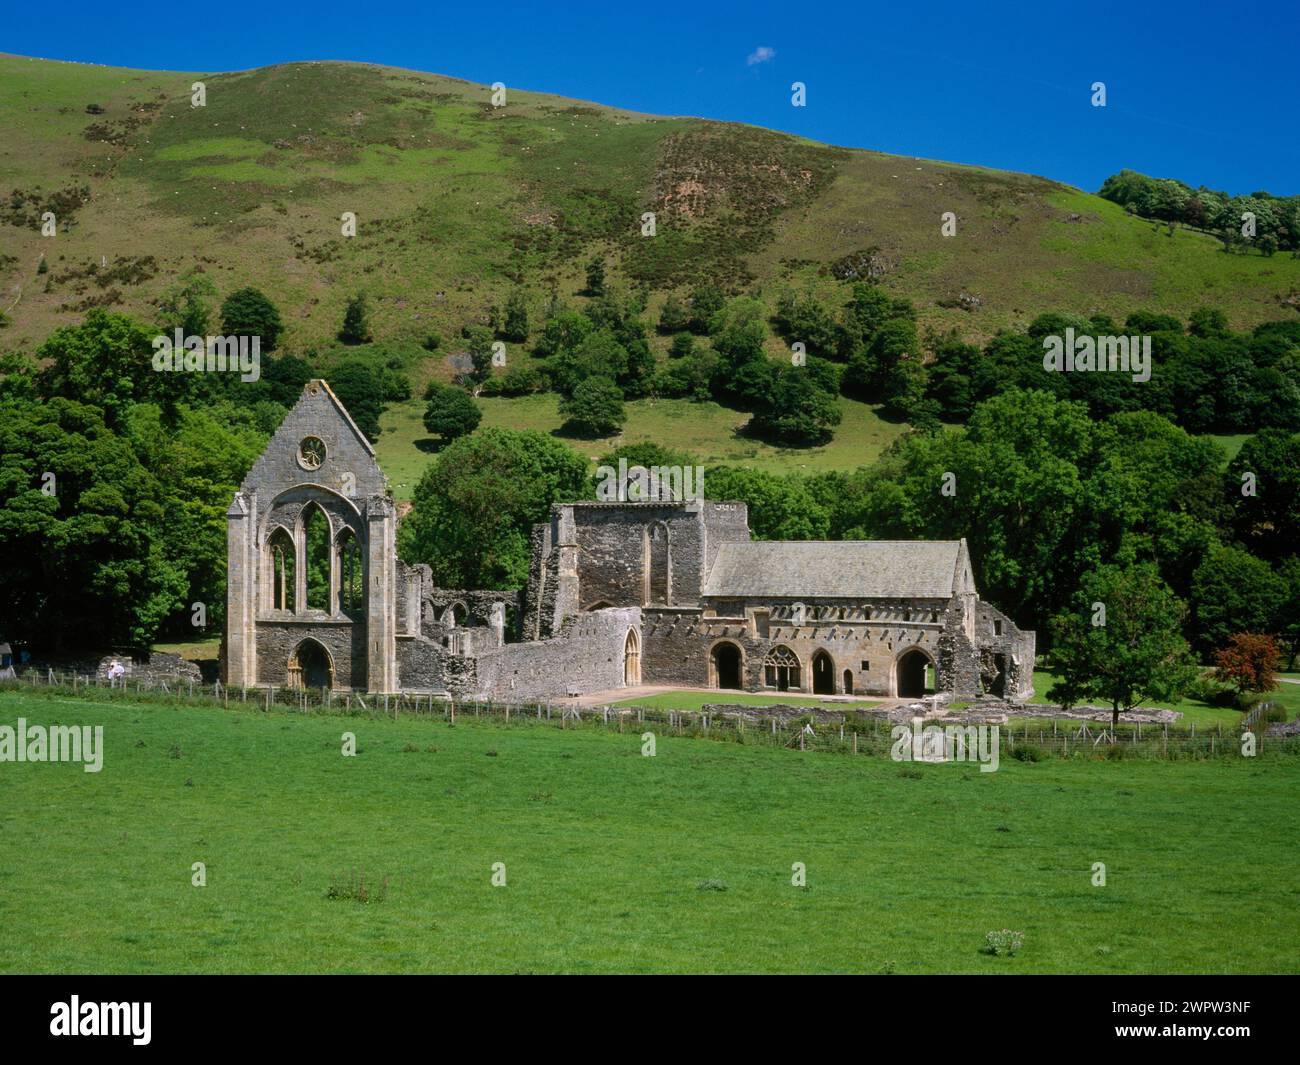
311, 595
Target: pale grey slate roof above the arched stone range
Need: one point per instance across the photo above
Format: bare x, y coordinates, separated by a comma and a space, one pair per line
848, 569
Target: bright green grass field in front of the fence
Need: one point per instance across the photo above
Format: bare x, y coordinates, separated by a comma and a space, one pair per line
606, 854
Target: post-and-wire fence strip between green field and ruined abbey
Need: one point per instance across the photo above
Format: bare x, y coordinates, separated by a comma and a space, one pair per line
868, 735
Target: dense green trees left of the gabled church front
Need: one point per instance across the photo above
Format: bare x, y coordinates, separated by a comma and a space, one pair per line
116, 478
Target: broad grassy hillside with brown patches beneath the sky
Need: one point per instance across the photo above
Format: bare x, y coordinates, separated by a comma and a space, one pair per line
458, 201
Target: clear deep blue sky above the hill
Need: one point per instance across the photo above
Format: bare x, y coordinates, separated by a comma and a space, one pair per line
1202, 92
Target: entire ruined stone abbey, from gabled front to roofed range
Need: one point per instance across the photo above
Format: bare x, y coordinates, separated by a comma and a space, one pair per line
619, 595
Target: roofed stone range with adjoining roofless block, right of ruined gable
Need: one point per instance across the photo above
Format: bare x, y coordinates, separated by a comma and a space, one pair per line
721, 611
